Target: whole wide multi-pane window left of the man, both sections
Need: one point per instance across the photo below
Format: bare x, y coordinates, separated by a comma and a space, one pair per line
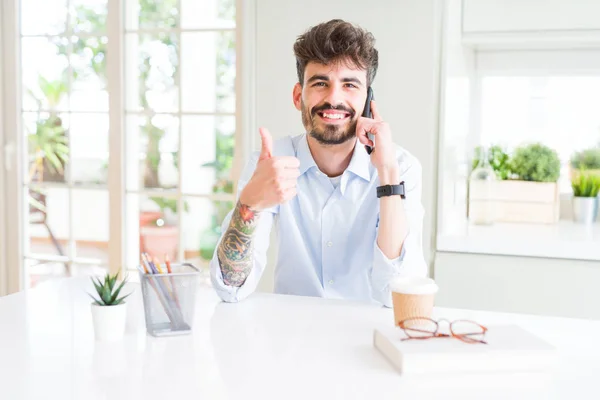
179, 131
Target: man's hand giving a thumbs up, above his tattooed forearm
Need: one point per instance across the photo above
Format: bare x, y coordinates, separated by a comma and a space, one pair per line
273, 181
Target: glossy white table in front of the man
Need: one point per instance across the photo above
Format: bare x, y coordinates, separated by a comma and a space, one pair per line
266, 347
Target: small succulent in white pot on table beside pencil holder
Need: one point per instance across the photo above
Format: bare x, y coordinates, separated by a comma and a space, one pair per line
109, 310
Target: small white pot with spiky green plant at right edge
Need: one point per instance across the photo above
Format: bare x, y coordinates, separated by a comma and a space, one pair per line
585, 197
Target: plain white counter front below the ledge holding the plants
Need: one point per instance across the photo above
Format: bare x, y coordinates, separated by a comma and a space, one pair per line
542, 286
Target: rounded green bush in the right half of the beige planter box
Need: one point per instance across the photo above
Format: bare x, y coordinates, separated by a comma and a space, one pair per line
536, 162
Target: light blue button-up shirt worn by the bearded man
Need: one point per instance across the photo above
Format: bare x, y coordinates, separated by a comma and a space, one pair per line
327, 234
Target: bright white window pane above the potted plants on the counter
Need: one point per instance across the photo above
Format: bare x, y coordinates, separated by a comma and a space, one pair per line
558, 111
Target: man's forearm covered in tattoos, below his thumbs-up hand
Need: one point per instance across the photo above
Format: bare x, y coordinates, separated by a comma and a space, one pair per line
235, 250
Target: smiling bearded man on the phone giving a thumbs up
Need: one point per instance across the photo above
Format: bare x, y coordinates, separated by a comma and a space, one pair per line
337, 237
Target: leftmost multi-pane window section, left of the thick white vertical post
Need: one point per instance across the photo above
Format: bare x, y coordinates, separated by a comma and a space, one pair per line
65, 137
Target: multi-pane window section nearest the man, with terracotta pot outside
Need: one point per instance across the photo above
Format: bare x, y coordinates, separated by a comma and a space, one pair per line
180, 124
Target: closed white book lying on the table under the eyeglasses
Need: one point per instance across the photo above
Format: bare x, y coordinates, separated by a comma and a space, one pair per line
509, 349
